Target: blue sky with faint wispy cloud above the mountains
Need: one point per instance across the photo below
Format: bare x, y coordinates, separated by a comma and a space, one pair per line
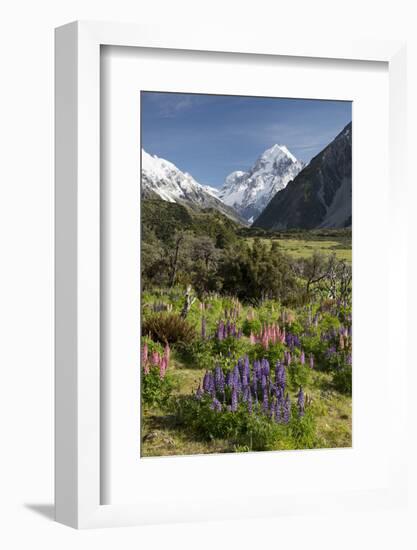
210, 136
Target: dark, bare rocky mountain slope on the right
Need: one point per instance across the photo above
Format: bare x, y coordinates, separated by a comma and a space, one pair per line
320, 196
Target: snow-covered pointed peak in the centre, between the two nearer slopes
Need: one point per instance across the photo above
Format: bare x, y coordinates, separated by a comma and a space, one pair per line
250, 192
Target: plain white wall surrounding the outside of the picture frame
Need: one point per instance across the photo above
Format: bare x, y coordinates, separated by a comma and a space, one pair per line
26, 269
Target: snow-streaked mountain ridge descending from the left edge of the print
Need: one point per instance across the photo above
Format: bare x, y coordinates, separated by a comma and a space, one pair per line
162, 179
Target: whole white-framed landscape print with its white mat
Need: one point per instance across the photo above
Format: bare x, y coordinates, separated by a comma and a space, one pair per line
228, 220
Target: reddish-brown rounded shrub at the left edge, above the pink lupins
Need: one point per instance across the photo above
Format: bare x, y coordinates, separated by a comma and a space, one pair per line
168, 327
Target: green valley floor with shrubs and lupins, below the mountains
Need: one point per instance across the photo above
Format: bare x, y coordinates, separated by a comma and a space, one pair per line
246, 337
